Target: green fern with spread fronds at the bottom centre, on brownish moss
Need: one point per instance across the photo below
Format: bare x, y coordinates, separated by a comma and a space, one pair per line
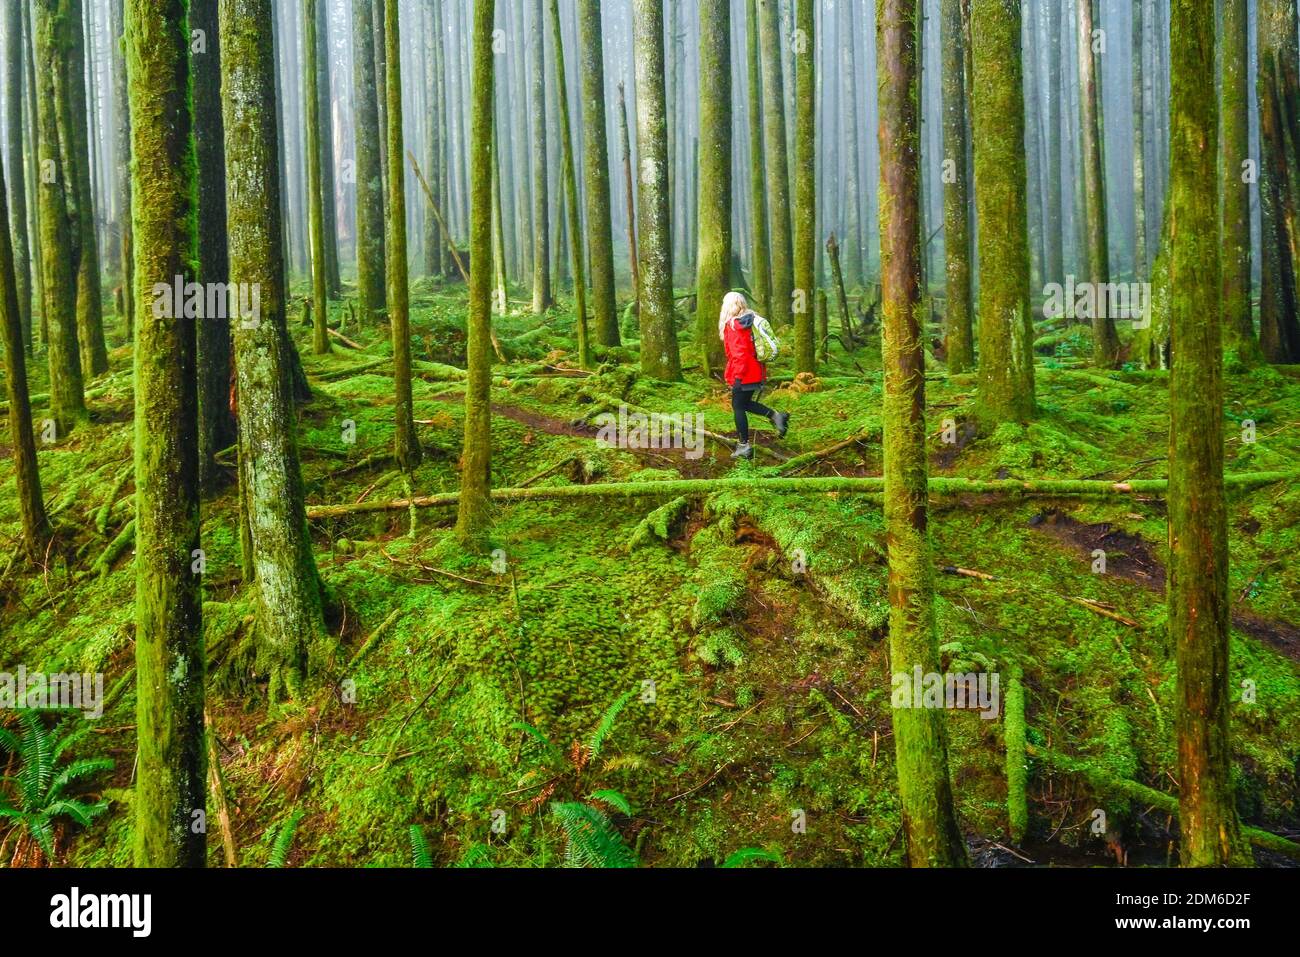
592, 841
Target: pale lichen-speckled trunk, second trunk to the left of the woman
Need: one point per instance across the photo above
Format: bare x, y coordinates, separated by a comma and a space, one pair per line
660, 357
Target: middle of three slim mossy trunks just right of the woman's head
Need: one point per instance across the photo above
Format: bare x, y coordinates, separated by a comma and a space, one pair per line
777, 163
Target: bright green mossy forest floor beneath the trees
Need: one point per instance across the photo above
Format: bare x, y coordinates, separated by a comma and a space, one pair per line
770, 685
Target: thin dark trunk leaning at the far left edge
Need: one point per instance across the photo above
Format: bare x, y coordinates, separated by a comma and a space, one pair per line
32, 508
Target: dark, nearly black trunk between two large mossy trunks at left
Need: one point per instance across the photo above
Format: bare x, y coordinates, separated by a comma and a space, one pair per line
216, 422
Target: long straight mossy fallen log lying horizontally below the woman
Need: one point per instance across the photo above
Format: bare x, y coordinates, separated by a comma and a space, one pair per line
805, 487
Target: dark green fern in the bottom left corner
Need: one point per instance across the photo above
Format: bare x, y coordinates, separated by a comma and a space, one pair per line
42, 785
